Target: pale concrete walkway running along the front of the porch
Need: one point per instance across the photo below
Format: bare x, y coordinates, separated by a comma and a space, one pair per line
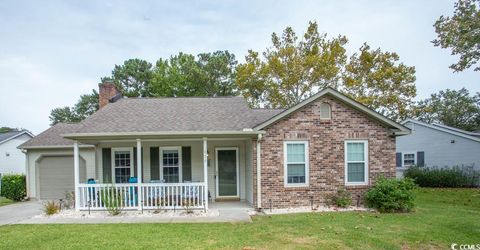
233, 212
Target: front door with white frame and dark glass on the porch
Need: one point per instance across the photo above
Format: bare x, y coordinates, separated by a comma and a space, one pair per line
226, 163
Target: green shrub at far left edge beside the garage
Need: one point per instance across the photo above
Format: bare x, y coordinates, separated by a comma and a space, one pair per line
14, 187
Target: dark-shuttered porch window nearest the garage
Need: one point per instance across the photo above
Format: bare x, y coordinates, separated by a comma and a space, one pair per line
122, 164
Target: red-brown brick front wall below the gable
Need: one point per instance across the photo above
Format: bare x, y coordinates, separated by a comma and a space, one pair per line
326, 154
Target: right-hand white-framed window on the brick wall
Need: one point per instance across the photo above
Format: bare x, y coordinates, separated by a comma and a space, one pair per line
356, 162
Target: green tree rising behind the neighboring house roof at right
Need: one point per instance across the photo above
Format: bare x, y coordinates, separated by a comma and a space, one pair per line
451, 107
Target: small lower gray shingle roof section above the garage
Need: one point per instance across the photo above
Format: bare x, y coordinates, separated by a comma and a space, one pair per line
52, 136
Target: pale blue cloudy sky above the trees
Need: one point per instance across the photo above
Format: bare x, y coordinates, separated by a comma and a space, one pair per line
51, 52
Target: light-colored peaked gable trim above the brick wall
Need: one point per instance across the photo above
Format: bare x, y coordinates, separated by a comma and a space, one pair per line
399, 129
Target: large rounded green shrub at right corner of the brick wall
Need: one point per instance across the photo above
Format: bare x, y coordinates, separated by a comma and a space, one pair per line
391, 195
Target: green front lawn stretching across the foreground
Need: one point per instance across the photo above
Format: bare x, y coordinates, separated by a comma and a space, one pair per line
443, 216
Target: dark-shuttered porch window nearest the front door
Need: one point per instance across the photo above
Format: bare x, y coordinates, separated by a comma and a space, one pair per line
171, 164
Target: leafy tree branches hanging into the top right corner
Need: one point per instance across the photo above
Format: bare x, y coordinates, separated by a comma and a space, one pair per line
461, 33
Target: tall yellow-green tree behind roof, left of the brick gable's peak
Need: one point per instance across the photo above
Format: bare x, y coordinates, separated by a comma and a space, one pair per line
292, 68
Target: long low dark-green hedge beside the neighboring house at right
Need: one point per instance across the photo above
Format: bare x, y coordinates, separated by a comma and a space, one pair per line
444, 177
